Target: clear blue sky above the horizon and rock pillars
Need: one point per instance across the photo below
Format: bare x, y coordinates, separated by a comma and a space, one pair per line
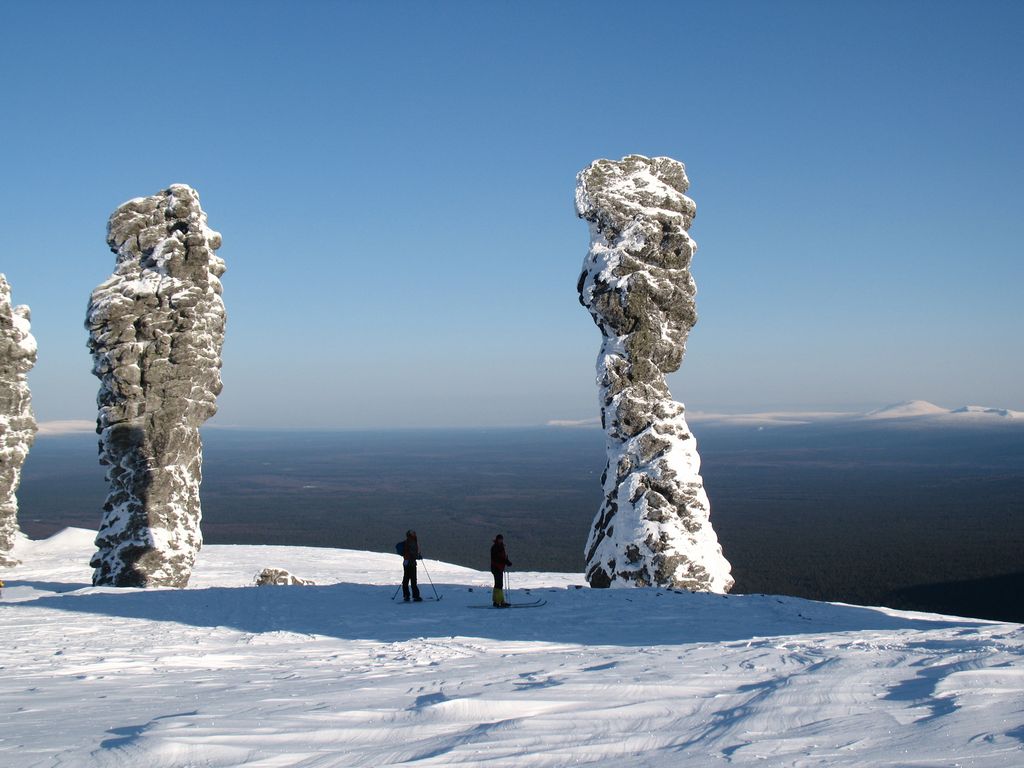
395, 181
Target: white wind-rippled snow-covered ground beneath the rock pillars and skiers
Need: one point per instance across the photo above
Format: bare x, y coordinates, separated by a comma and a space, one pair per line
226, 674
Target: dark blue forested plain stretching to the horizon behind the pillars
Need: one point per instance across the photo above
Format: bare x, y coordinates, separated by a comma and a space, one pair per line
928, 519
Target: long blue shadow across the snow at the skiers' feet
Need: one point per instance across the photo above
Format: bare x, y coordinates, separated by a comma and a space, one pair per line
620, 618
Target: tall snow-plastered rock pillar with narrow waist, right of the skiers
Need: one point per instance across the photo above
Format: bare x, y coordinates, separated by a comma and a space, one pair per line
653, 528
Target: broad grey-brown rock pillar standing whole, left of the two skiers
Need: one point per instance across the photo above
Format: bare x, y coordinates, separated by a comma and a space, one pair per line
156, 330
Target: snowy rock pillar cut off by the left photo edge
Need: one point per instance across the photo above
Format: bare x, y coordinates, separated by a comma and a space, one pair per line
18, 425
